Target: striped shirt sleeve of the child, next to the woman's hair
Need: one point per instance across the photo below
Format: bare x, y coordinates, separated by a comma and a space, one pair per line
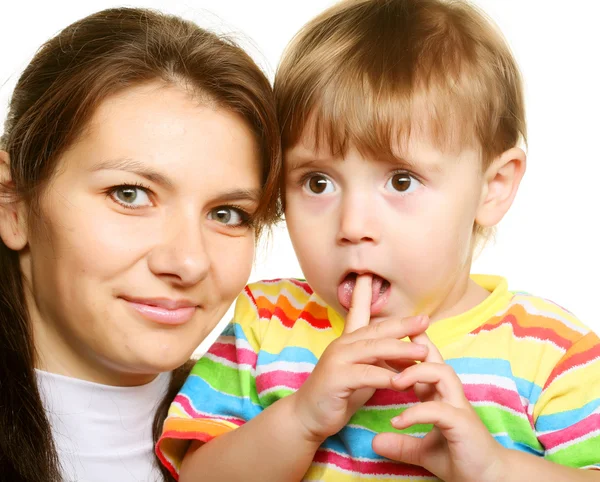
220, 393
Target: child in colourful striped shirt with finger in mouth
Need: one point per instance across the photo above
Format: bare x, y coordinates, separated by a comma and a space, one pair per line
400, 126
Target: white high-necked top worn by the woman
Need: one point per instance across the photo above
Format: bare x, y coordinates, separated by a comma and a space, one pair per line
103, 433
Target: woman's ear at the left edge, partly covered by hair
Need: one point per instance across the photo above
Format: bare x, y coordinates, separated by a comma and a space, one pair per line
13, 222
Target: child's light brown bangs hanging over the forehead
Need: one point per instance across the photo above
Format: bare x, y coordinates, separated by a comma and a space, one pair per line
350, 111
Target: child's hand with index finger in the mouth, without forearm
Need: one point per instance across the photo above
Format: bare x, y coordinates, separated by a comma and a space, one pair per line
352, 367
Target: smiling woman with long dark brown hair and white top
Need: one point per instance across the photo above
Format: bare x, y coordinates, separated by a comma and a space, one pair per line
138, 165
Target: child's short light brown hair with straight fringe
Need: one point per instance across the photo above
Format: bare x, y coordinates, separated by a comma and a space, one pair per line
365, 73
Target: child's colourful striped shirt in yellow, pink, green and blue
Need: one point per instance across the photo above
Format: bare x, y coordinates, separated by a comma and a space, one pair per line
529, 368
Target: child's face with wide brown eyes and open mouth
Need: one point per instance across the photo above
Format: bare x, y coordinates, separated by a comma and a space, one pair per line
409, 224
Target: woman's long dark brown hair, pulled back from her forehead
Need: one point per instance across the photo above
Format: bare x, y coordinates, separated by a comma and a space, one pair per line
54, 99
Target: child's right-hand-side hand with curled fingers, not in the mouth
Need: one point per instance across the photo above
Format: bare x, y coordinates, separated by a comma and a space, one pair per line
459, 447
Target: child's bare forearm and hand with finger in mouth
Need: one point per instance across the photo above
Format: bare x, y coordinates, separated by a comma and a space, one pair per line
279, 444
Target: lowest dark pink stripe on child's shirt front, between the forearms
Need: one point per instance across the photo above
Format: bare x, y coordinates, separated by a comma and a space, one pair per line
375, 468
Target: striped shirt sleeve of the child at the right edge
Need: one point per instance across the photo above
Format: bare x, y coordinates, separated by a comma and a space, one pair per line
567, 414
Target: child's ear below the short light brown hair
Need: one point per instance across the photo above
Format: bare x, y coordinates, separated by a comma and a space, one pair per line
501, 182
